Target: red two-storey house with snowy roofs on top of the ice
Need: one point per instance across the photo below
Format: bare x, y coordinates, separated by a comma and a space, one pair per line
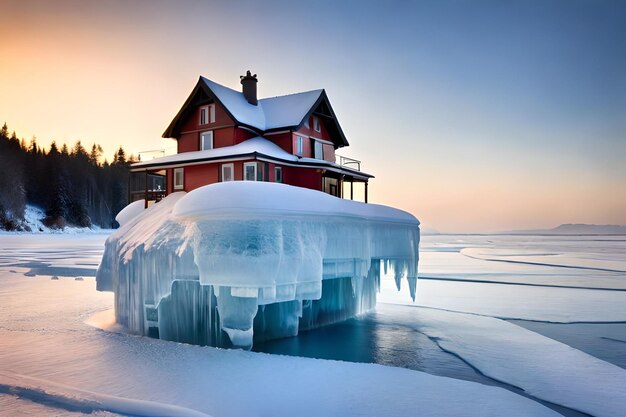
227, 135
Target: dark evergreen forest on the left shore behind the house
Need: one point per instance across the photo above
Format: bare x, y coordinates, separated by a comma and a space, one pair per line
72, 186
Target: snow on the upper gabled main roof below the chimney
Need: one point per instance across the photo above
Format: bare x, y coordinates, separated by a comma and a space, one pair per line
270, 113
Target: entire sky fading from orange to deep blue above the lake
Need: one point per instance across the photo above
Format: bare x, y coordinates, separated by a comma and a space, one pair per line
474, 116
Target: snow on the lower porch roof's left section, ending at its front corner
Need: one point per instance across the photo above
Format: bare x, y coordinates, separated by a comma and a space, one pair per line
257, 144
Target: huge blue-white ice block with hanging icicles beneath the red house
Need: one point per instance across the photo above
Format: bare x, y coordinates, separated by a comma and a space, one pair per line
233, 262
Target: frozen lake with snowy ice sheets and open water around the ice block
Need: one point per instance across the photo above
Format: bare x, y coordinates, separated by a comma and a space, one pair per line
519, 322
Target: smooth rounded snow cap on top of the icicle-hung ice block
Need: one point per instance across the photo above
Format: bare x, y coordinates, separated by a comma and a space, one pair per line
254, 198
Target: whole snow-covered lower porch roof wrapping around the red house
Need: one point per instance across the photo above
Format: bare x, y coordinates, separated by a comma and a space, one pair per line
257, 147
